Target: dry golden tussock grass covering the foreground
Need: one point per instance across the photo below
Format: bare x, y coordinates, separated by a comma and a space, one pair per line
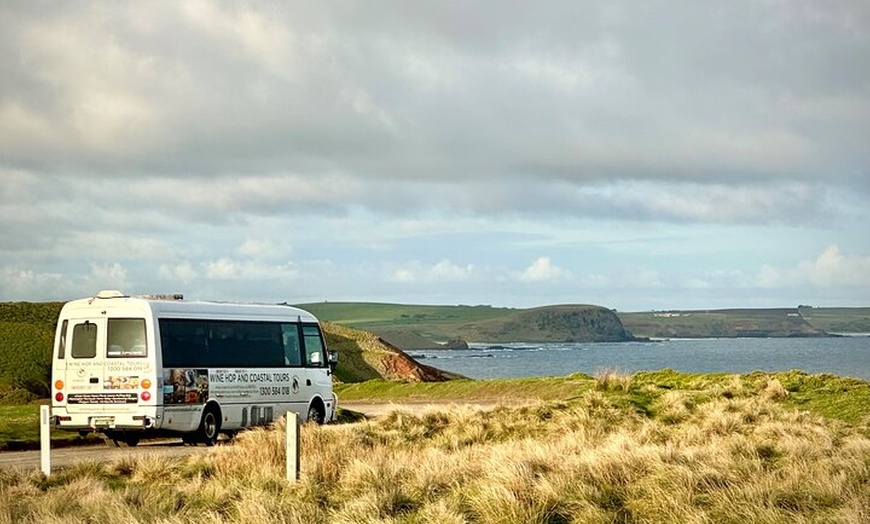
728, 455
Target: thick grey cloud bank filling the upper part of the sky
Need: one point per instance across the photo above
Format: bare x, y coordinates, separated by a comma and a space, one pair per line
674, 90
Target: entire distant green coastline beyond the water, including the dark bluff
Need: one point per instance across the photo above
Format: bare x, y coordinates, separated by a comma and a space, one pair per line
445, 327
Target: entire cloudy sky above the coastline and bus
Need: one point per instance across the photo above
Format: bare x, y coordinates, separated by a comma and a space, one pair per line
636, 155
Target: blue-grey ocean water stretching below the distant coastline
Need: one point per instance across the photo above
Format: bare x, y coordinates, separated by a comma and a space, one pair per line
847, 356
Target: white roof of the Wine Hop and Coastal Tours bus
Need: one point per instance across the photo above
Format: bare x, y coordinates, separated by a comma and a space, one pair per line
172, 307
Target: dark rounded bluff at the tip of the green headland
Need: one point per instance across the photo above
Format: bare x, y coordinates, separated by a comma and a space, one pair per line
571, 323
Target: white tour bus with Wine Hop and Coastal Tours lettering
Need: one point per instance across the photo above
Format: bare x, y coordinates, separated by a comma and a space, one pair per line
137, 366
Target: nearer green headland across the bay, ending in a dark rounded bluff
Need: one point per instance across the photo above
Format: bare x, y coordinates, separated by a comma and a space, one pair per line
410, 326
